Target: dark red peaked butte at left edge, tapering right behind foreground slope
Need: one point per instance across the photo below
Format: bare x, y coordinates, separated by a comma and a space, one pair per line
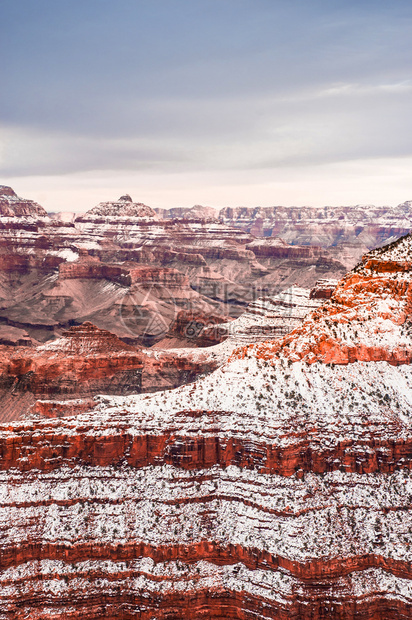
64, 375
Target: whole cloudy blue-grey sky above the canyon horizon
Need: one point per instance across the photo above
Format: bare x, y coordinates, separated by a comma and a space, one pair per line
213, 102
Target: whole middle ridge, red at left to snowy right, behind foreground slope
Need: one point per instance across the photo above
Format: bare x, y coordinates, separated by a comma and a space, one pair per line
63, 376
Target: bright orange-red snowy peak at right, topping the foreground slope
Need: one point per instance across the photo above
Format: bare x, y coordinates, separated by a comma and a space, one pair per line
367, 317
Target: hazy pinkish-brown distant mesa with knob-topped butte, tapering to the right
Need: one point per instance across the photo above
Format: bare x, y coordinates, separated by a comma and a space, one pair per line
125, 270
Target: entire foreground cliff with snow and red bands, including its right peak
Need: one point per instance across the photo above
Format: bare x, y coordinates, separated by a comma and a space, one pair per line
279, 486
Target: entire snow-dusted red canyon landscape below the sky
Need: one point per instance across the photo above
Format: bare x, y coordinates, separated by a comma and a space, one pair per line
204, 413
